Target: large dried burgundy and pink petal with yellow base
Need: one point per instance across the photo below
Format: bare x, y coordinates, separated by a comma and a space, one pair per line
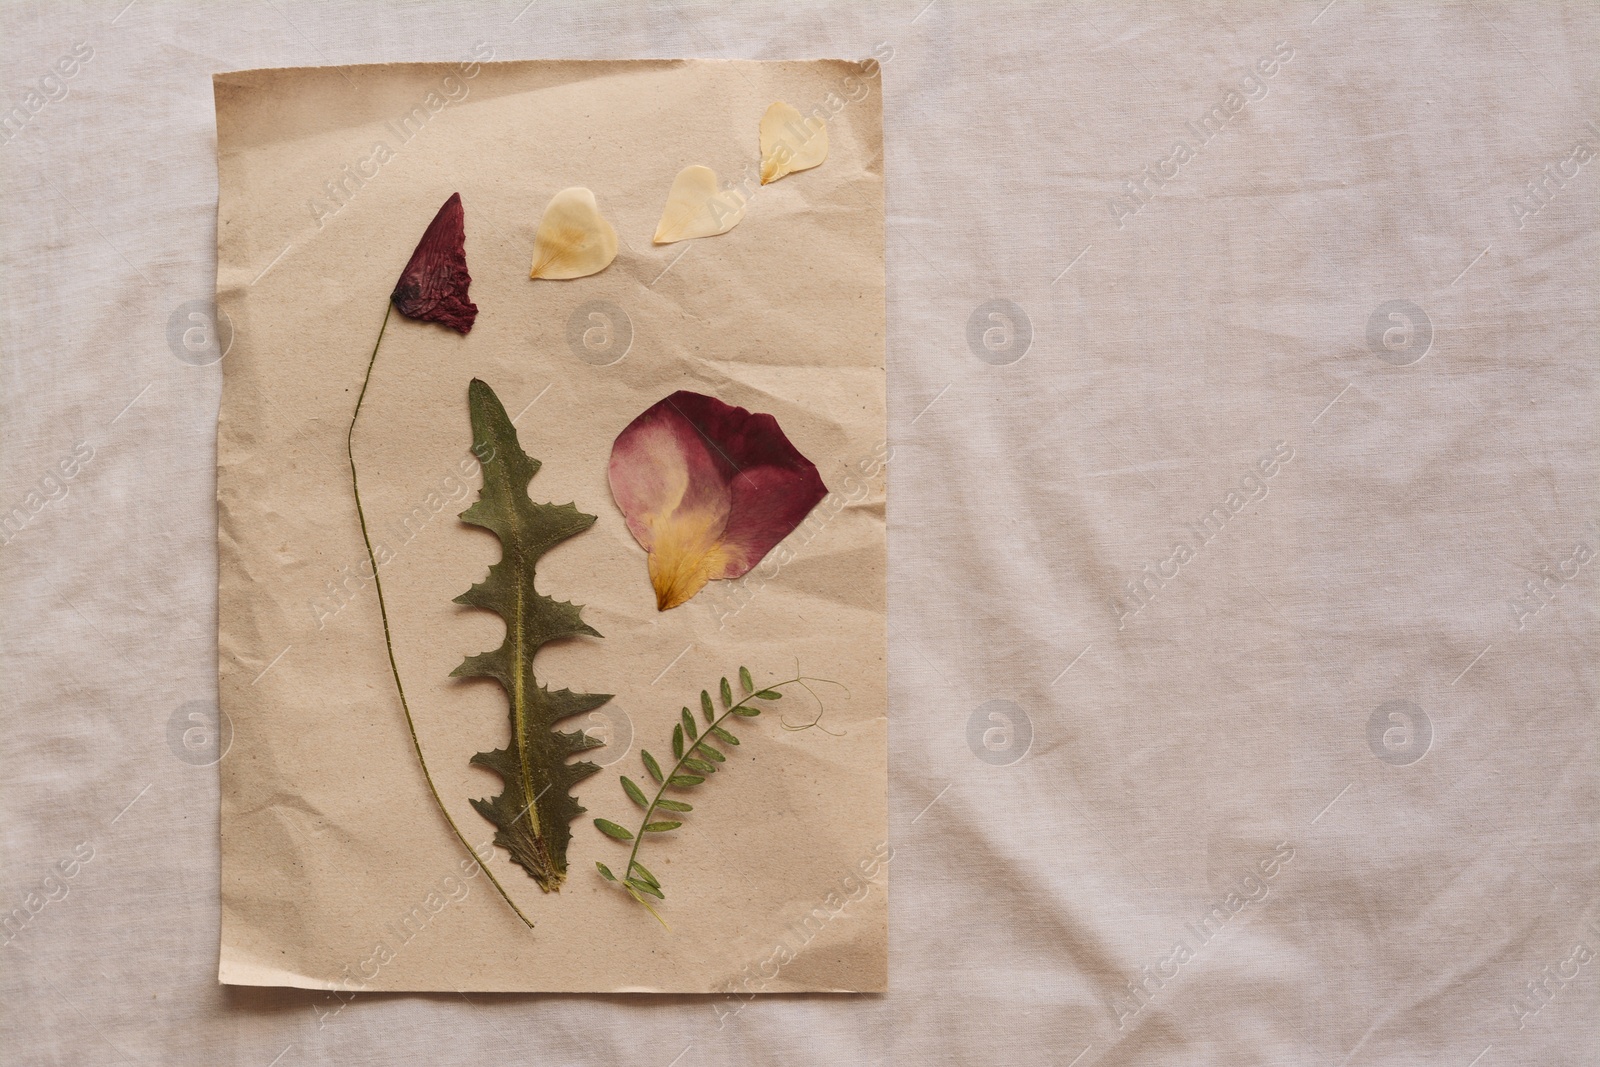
708, 490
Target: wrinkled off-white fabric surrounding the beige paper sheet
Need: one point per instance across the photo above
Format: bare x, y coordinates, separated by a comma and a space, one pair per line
1169, 354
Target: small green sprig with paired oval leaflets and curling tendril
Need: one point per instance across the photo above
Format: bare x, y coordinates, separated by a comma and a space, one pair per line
697, 759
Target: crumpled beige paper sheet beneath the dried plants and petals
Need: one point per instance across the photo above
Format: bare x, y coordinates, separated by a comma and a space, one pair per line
338, 869
